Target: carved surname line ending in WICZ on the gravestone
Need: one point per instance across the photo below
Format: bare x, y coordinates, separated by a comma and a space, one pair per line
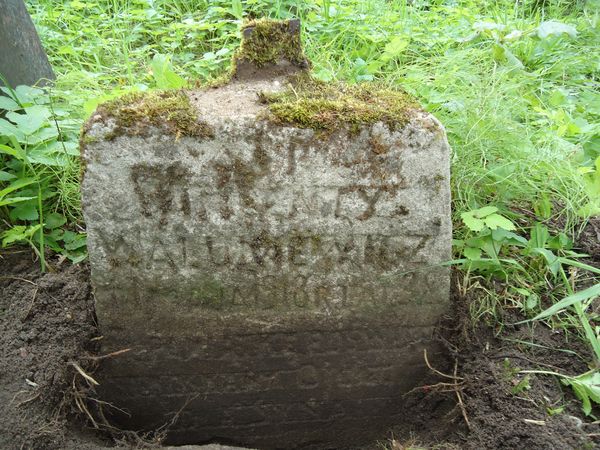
264, 252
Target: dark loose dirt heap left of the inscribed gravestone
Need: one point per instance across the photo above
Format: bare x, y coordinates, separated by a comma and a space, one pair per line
46, 325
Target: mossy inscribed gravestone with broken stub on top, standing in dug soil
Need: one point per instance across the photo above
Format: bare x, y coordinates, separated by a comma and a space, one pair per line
269, 249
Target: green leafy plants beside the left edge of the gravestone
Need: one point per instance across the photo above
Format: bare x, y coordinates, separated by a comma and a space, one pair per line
38, 149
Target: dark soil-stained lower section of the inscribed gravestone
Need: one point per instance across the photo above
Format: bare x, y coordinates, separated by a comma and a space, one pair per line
335, 385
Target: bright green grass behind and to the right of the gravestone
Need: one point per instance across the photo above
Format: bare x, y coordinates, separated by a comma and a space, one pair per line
517, 132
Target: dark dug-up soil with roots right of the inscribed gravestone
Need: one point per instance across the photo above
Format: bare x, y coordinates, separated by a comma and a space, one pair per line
503, 410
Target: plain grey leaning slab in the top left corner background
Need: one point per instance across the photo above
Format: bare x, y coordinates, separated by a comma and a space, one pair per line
22, 58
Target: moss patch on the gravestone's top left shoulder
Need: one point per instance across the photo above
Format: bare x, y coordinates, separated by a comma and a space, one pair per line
172, 110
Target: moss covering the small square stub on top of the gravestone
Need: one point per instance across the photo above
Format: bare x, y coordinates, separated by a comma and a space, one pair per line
267, 41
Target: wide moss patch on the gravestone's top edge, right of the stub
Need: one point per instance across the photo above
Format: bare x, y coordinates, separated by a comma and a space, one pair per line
310, 103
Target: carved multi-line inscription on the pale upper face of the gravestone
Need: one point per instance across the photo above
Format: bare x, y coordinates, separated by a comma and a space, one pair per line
265, 224
